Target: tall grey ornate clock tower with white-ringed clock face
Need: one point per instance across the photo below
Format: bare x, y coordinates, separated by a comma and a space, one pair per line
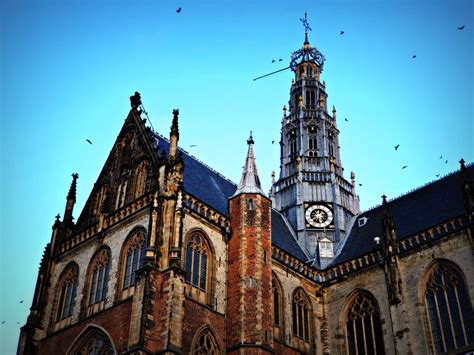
311, 190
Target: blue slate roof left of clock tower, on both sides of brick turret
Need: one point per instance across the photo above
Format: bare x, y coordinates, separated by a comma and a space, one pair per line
214, 189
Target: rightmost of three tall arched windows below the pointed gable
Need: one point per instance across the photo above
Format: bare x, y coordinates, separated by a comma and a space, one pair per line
133, 257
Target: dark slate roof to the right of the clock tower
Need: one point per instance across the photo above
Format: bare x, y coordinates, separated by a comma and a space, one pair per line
412, 213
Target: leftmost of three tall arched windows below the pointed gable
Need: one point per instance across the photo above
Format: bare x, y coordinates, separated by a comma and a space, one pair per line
67, 290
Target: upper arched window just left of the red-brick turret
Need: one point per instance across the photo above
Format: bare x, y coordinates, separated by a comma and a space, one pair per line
196, 262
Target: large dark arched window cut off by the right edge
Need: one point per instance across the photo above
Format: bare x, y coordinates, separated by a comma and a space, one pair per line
449, 309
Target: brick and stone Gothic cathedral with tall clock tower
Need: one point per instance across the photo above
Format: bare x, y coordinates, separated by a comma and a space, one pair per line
170, 257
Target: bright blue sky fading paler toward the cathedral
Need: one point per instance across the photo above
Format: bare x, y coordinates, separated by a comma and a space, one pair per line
69, 67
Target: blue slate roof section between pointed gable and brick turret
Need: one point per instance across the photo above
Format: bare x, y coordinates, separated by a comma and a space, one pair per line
201, 181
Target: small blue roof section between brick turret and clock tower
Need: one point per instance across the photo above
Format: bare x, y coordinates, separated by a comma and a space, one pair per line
283, 238
